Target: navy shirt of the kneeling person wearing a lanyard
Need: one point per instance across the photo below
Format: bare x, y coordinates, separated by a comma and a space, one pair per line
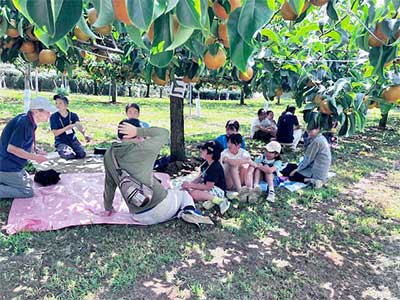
57, 122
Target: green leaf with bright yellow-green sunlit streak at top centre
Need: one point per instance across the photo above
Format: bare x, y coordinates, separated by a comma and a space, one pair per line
192, 13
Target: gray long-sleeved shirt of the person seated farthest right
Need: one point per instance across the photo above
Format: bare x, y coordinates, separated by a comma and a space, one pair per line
317, 159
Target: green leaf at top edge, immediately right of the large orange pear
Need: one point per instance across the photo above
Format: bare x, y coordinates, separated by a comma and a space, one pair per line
141, 13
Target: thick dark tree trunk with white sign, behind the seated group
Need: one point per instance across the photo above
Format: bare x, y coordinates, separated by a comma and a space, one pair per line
177, 121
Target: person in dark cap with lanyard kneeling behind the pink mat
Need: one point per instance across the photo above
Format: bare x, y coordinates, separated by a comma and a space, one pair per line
62, 123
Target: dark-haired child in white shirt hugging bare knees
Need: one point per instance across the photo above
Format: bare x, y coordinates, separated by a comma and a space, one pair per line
235, 161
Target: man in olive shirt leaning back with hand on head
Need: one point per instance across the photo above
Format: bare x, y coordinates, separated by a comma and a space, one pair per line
135, 153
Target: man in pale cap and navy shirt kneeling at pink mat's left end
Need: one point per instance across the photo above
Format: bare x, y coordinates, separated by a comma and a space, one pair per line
16, 144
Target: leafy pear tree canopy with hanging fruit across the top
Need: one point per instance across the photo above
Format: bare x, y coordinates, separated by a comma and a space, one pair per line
337, 57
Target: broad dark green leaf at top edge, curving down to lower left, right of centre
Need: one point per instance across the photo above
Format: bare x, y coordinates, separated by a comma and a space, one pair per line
254, 14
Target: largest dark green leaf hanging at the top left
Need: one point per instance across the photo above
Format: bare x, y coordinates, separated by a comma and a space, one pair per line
56, 18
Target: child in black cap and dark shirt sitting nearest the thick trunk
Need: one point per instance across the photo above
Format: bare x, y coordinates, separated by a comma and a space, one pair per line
210, 185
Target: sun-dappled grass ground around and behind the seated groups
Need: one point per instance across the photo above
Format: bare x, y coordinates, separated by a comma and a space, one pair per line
339, 242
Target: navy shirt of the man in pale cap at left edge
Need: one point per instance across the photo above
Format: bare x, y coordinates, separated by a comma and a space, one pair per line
18, 132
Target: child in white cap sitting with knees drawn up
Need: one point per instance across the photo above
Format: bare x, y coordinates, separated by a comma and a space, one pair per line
267, 168
